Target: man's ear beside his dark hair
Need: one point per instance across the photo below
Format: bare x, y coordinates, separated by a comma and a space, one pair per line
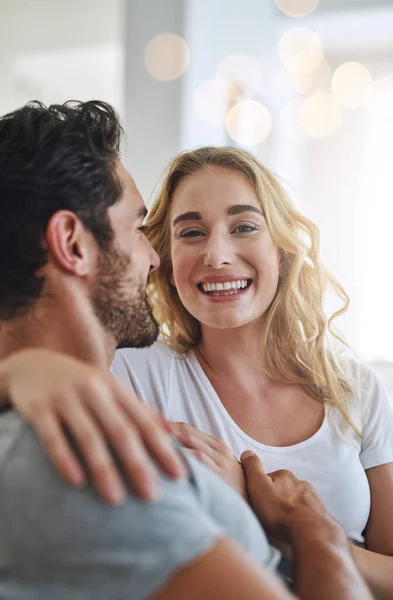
70, 243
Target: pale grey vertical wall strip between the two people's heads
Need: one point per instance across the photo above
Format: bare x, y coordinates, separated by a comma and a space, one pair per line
153, 108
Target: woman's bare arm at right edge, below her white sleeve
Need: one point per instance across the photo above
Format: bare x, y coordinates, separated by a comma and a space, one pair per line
376, 563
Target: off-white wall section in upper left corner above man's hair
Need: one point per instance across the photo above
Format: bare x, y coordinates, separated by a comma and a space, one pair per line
52, 50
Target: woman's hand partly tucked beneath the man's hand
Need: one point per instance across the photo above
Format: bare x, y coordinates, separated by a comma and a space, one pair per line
213, 452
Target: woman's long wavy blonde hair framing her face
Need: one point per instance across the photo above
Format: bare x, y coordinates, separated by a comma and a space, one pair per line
298, 341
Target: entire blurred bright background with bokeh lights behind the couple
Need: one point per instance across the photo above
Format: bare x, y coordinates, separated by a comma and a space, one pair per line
305, 85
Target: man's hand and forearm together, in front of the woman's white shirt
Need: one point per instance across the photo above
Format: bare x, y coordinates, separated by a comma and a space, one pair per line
292, 513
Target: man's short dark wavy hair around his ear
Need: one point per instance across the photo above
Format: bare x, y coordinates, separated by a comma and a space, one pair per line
51, 158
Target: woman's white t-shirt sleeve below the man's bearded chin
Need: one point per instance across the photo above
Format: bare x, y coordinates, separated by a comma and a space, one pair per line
147, 371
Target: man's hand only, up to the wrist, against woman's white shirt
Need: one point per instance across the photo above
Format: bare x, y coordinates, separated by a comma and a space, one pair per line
281, 501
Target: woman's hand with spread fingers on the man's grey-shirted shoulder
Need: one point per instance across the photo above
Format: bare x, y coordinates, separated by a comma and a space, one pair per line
95, 414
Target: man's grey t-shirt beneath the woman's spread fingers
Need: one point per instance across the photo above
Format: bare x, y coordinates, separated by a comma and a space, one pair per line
60, 543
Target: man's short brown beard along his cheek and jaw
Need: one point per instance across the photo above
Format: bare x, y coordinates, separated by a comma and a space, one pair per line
121, 303
